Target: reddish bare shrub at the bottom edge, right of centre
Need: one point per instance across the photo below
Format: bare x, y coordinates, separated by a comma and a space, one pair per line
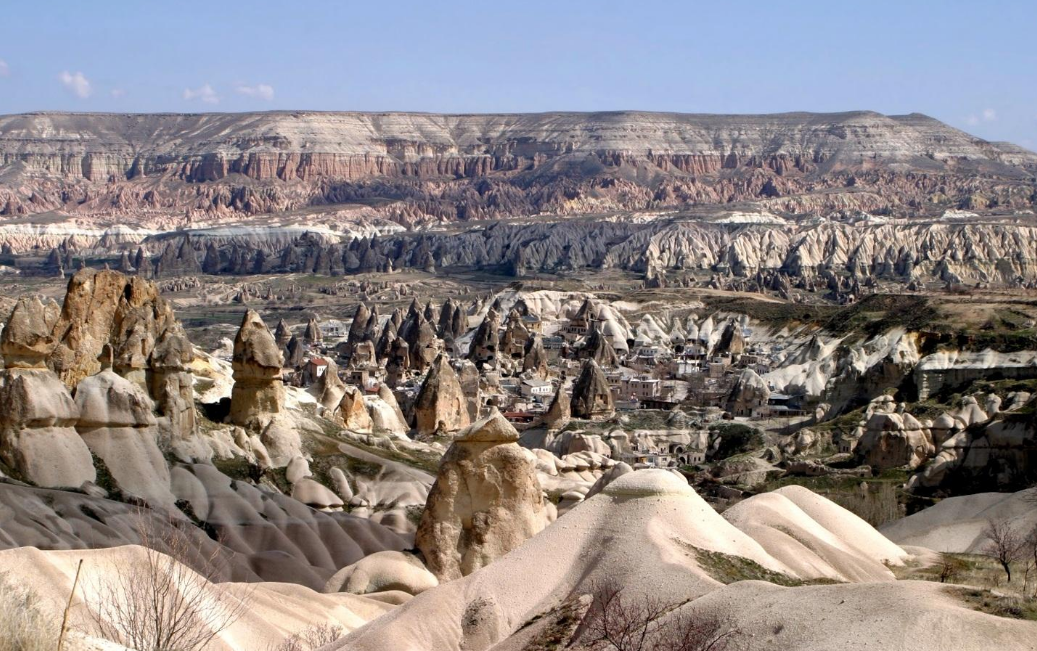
621, 622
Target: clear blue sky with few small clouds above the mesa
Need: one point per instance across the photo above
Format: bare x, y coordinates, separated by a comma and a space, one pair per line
972, 65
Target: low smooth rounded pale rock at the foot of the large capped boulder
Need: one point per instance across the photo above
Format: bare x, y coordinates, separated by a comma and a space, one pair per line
383, 572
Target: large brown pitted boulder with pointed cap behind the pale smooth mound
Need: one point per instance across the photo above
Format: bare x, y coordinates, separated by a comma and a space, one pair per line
486, 502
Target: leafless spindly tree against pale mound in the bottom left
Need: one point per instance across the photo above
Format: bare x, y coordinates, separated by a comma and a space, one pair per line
165, 601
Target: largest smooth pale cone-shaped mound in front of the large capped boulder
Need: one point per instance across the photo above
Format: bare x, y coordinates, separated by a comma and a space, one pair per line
642, 530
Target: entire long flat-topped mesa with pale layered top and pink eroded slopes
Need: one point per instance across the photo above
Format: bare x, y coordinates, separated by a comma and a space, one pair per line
169, 169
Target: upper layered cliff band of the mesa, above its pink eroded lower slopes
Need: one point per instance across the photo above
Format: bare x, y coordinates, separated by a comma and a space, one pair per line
354, 146
